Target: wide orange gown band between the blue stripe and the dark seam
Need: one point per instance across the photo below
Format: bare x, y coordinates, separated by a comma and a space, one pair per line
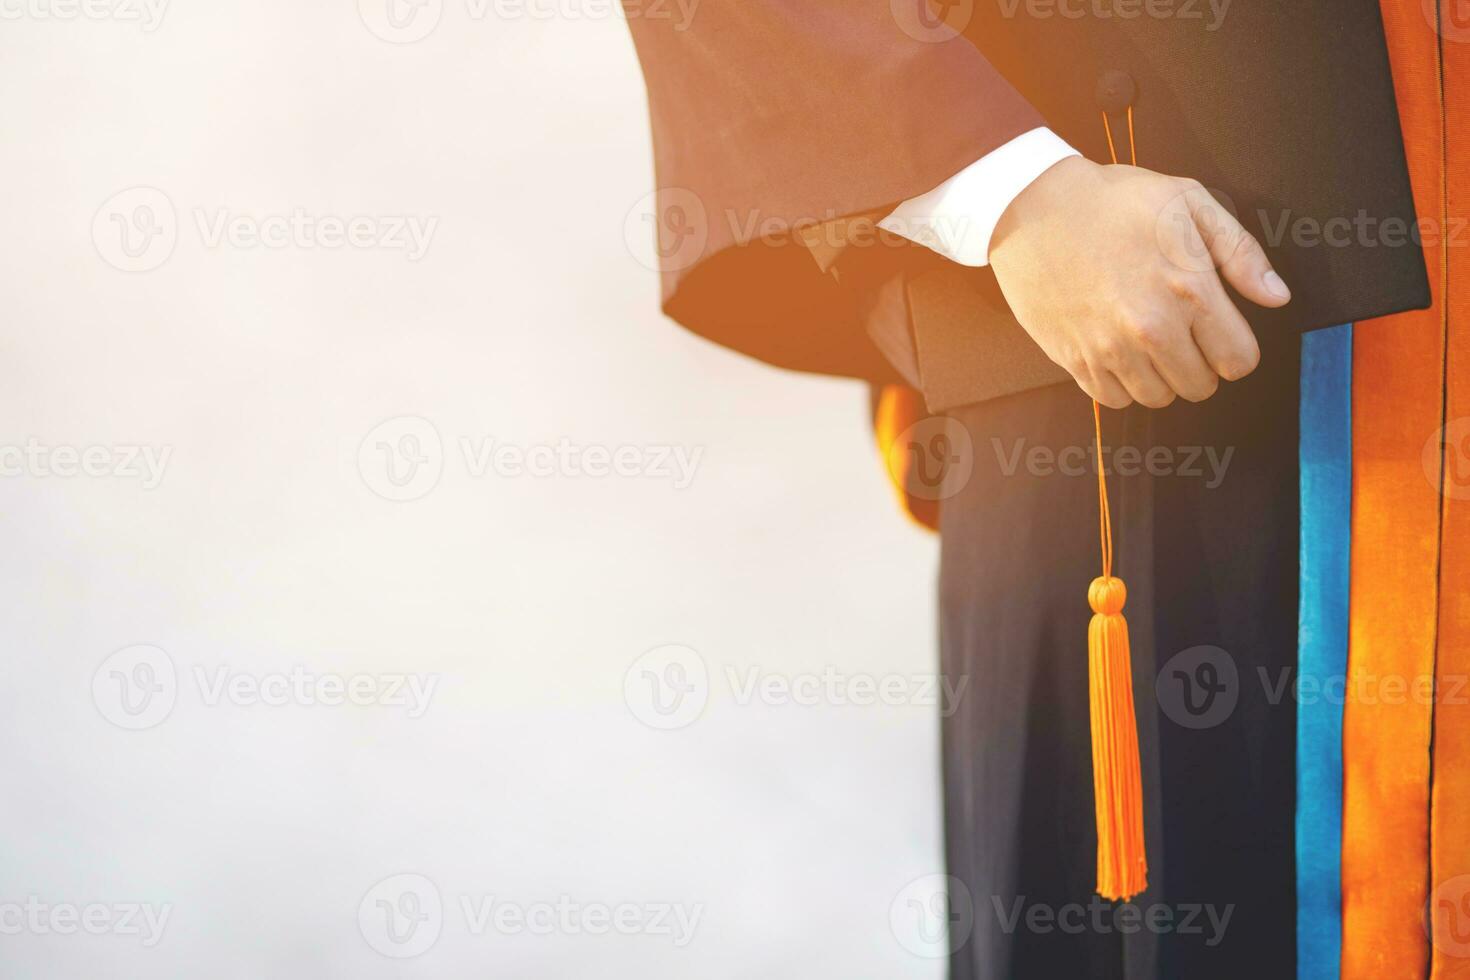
1388, 718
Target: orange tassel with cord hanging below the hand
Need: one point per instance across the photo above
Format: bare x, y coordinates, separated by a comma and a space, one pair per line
1116, 781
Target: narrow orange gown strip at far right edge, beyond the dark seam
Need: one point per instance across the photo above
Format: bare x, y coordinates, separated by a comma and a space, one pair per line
1450, 818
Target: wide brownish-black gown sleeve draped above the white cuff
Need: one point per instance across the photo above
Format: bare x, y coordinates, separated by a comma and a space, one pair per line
775, 120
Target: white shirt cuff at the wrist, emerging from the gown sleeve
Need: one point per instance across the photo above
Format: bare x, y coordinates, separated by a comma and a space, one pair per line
958, 218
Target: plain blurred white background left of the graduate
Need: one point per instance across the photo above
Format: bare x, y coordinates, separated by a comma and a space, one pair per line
265, 549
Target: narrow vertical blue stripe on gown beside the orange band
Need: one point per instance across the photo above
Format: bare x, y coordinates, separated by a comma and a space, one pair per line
1327, 515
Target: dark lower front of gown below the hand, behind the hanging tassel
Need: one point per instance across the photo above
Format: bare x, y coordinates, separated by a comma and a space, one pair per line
1206, 512
